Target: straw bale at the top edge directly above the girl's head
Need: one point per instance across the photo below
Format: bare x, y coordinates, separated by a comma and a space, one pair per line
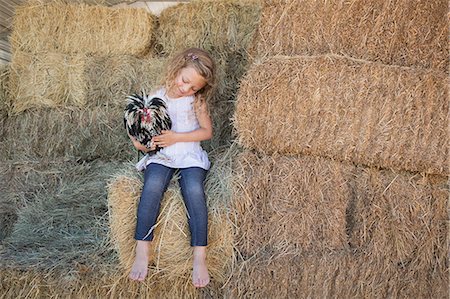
216, 26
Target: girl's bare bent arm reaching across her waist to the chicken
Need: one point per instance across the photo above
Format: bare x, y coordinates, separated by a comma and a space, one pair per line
203, 133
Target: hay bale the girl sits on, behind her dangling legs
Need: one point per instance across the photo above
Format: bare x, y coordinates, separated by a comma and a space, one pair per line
171, 254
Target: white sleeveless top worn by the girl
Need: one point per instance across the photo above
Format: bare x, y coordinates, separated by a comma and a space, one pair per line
180, 154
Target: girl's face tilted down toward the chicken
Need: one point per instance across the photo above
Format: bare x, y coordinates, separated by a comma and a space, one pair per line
187, 83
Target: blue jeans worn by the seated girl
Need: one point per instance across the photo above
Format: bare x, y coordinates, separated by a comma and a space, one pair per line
156, 181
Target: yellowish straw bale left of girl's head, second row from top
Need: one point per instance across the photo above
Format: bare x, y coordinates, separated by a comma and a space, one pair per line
60, 80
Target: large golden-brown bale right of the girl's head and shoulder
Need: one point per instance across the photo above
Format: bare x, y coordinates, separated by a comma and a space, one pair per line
367, 113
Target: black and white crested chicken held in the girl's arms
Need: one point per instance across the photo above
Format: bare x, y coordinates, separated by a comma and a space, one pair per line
145, 118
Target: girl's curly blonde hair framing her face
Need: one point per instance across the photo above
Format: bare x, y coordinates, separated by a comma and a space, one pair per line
202, 62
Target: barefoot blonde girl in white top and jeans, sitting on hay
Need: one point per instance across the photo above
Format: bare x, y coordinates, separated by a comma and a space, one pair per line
188, 84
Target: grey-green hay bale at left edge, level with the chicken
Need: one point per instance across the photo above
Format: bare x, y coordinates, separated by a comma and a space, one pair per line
76, 135
